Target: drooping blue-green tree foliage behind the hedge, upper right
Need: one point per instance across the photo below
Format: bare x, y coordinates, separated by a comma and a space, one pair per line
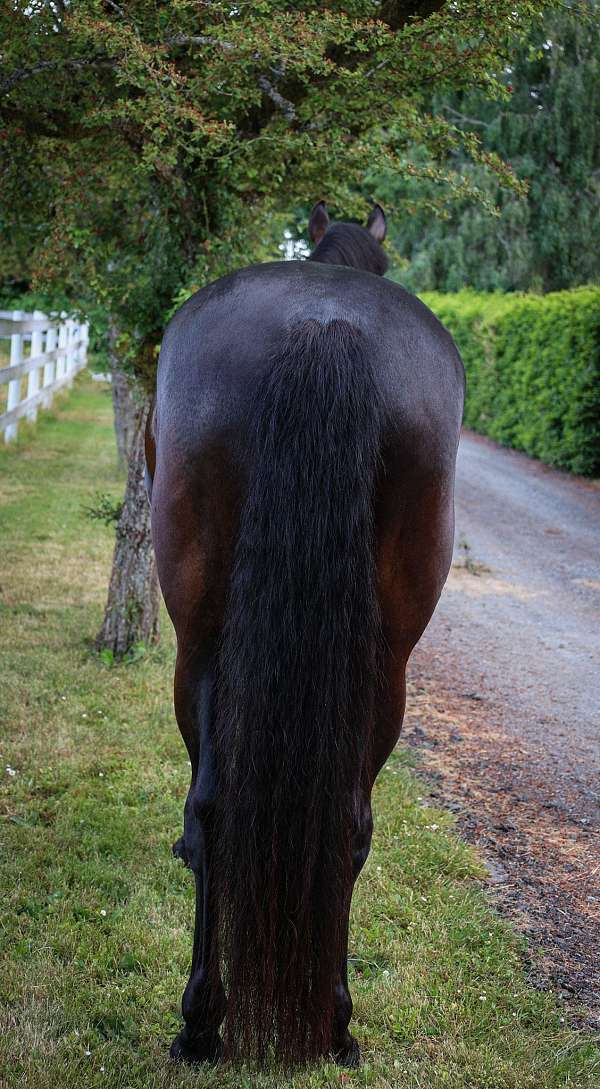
549, 130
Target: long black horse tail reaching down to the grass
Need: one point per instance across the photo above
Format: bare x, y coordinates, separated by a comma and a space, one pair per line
298, 676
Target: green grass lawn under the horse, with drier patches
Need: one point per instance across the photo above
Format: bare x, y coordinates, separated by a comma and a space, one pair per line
96, 916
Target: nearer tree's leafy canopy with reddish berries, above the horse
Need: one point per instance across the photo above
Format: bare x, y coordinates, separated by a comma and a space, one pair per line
153, 146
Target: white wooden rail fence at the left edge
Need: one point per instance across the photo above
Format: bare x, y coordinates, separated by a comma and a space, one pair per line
48, 351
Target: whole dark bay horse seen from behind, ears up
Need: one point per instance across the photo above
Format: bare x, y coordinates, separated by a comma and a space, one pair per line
302, 459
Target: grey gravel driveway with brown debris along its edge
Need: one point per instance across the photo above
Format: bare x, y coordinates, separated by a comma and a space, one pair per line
506, 709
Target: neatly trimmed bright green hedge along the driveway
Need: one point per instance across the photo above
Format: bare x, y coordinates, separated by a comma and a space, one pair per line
533, 366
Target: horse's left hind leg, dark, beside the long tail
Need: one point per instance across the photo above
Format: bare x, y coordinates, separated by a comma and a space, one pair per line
204, 1000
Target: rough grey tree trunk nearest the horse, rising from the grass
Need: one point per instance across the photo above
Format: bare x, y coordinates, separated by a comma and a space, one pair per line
131, 614
